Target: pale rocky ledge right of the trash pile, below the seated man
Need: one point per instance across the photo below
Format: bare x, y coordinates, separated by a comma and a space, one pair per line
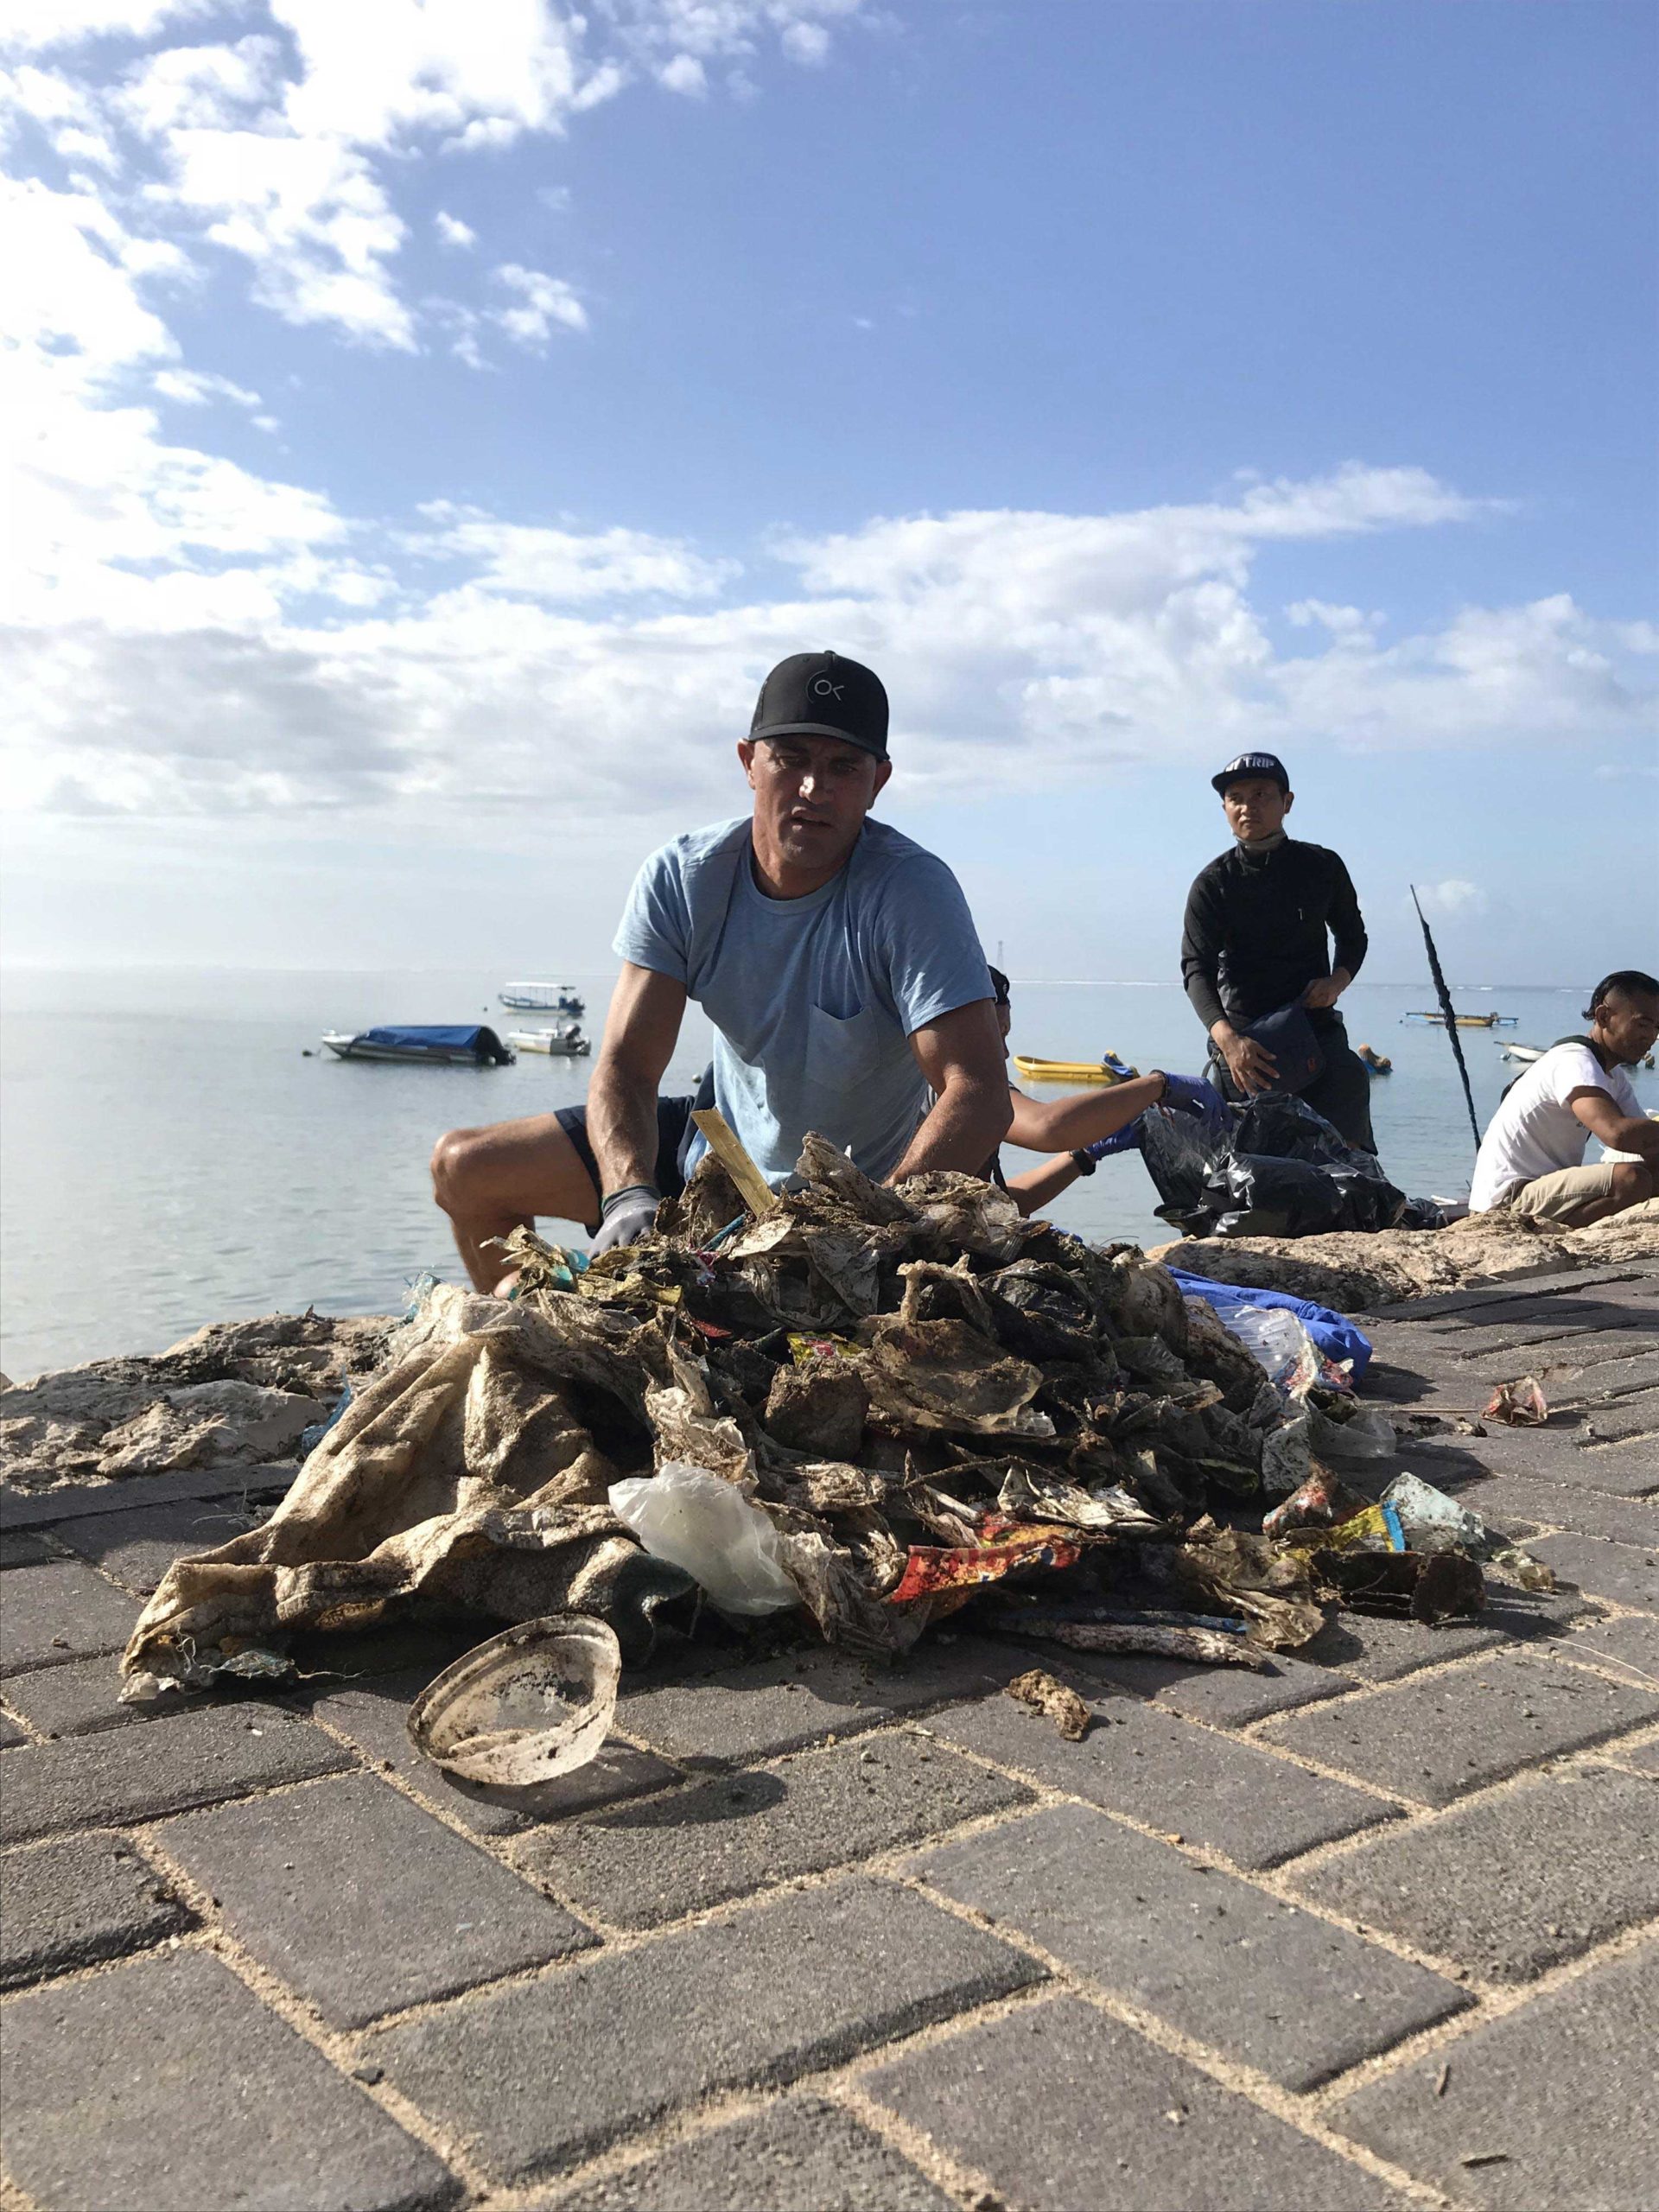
1355, 1273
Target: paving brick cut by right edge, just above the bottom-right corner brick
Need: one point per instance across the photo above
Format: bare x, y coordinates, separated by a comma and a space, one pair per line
1514, 1884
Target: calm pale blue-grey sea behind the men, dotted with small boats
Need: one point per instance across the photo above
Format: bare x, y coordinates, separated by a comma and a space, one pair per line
171, 1158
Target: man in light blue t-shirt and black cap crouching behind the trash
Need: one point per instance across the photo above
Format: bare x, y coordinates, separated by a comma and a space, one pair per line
837, 963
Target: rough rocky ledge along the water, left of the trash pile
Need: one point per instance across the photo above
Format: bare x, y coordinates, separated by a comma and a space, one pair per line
231, 1395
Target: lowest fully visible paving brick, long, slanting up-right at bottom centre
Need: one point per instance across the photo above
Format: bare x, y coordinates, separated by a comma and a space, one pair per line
543, 2074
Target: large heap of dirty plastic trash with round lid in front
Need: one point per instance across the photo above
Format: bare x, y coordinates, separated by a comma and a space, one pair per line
862, 1406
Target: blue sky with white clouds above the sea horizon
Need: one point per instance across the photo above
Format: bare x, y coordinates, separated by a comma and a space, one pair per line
428, 421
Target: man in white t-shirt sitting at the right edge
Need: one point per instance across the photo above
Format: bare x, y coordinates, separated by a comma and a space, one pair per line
1532, 1156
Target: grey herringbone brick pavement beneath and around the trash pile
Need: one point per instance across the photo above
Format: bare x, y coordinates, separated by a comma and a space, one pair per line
1377, 1930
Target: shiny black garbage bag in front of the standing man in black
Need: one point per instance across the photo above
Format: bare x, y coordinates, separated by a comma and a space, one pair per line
1282, 1171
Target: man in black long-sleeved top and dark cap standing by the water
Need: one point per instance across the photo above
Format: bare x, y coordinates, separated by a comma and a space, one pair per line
1258, 926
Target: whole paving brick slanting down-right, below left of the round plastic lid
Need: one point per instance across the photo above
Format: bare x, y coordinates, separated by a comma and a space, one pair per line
362, 1901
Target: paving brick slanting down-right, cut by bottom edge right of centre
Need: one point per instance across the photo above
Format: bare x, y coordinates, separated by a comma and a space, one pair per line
1063, 2107
